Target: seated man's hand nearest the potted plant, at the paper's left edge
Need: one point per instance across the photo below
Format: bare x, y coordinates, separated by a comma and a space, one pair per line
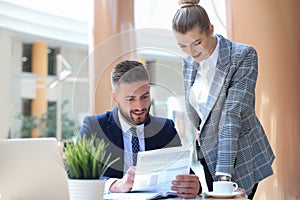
124, 184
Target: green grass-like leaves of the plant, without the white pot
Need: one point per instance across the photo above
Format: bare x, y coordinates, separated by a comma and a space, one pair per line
86, 158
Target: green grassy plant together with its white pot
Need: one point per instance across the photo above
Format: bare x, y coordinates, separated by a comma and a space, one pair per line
86, 162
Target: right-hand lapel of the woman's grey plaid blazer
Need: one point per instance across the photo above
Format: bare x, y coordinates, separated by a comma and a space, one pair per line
222, 68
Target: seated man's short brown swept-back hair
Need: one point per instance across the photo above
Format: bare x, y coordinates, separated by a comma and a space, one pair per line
128, 72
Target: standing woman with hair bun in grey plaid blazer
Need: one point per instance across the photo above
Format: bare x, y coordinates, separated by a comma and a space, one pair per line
220, 78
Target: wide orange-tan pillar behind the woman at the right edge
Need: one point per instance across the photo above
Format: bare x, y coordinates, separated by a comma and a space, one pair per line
272, 27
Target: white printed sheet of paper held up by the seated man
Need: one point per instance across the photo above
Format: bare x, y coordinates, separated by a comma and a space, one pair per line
157, 168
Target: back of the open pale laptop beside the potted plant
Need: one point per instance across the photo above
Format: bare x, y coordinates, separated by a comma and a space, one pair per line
32, 169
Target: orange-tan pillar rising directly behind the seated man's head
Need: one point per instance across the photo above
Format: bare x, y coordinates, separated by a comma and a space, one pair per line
112, 30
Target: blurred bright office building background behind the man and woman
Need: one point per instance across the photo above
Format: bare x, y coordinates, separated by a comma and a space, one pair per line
56, 57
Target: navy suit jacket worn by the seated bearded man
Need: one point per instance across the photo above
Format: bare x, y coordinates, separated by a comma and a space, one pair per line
158, 132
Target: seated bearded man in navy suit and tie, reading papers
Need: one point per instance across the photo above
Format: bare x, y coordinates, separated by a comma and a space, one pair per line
131, 93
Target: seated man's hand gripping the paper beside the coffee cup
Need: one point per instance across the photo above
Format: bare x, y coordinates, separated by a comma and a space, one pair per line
186, 186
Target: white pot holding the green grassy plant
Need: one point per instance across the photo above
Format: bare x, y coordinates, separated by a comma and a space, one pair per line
86, 189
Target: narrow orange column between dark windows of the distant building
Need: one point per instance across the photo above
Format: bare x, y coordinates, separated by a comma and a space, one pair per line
40, 68
